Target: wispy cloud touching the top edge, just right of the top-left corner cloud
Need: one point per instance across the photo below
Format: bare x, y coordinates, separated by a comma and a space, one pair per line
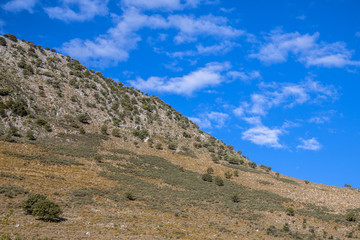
87, 9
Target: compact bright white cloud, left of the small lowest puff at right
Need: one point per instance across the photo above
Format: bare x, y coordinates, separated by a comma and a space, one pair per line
262, 135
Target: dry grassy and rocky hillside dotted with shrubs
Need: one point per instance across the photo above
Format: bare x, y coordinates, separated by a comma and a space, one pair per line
125, 165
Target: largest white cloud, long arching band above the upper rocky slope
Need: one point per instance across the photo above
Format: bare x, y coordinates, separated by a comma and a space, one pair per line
115, 45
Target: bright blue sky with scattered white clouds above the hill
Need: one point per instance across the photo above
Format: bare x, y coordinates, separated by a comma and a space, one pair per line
278, 80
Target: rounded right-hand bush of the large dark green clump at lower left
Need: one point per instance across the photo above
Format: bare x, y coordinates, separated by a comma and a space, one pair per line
46, 210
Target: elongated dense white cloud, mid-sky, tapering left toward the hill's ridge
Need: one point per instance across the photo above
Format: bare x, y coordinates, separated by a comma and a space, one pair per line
210, 75
